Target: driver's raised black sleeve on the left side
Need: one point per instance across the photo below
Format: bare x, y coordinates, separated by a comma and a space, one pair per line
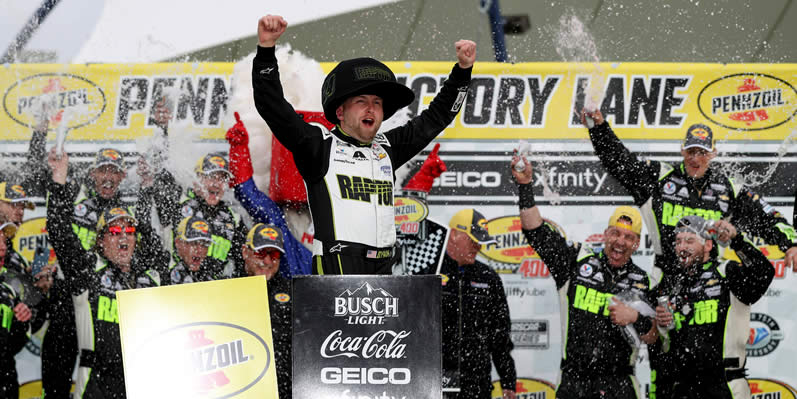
303, 140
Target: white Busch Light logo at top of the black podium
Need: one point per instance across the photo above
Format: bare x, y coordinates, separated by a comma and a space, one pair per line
366, 305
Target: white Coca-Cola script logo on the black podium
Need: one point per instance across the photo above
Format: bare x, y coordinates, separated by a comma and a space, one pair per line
366, 347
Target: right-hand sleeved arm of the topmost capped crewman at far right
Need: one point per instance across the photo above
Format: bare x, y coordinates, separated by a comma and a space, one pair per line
750, 213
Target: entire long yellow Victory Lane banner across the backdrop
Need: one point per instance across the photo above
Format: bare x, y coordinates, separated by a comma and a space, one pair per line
507, 101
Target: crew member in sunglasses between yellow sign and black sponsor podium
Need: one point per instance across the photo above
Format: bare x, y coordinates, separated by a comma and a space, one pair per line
262, 255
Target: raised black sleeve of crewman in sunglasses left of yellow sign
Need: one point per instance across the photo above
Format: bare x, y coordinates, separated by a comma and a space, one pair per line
72, 258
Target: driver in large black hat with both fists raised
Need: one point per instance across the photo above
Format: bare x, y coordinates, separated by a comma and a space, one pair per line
349, 171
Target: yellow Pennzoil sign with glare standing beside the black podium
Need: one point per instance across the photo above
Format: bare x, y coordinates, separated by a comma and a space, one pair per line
209, 340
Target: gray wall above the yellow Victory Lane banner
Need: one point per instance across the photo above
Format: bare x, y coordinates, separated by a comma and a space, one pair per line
726, 31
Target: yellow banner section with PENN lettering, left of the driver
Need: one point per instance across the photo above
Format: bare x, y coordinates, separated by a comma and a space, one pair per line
112, 101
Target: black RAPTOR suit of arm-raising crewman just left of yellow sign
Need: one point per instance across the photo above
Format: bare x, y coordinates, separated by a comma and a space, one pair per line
94, 282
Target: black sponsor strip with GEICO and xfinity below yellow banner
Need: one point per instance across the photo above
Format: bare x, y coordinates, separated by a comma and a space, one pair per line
482, 179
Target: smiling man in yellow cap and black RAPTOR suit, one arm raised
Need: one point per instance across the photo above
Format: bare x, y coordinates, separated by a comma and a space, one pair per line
597, 357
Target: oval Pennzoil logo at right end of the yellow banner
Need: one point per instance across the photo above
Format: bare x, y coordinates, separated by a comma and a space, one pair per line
748, 101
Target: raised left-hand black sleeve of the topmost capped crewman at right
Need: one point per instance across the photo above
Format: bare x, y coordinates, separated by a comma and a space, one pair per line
637, 176
